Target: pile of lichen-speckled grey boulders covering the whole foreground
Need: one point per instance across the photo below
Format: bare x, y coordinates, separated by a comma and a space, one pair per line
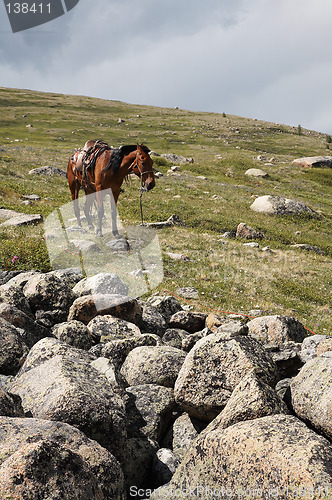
108, 397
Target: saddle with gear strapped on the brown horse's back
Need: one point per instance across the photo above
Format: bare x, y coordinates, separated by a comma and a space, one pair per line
85, 158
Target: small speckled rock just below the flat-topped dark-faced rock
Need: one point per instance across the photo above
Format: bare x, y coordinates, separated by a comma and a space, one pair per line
110, 328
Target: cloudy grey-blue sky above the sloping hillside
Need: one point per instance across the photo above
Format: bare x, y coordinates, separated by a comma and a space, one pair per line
266, 59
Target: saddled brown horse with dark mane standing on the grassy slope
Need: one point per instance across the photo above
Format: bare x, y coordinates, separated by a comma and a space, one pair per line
98, 167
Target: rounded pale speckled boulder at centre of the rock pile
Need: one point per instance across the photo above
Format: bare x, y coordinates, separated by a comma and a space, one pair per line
153, 365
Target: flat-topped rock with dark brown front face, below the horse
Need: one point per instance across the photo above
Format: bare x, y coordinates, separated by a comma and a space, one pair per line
85, 308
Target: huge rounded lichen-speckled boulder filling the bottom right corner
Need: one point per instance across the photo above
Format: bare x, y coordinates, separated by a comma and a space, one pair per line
275, 455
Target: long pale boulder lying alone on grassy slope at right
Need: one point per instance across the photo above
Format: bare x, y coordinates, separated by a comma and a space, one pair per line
278, 205
